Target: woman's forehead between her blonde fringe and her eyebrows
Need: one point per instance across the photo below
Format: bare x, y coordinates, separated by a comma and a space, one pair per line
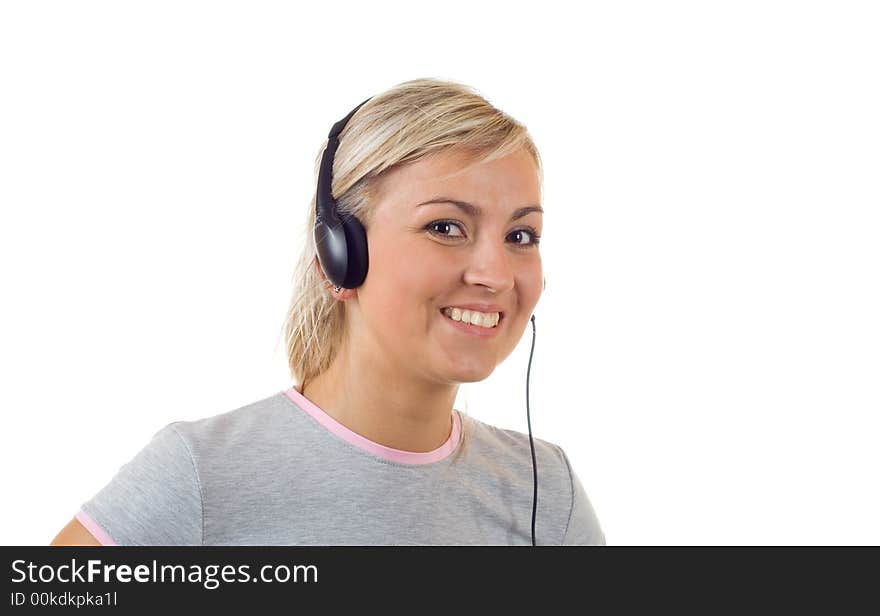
503, 184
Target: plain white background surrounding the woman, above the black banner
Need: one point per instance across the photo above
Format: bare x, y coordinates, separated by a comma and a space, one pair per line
707, 347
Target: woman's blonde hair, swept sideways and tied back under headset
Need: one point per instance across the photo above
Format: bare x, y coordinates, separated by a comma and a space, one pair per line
400, 126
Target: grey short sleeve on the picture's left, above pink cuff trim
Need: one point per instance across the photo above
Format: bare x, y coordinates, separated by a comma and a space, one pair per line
154, 499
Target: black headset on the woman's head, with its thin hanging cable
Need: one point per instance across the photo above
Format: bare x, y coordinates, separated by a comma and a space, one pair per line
342, 251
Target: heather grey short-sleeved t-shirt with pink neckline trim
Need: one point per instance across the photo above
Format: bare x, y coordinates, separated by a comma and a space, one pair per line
281, 471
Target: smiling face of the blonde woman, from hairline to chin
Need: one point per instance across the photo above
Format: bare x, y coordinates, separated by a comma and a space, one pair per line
424, 258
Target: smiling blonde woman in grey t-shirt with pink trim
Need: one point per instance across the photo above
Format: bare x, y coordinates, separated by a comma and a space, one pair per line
366, 448
